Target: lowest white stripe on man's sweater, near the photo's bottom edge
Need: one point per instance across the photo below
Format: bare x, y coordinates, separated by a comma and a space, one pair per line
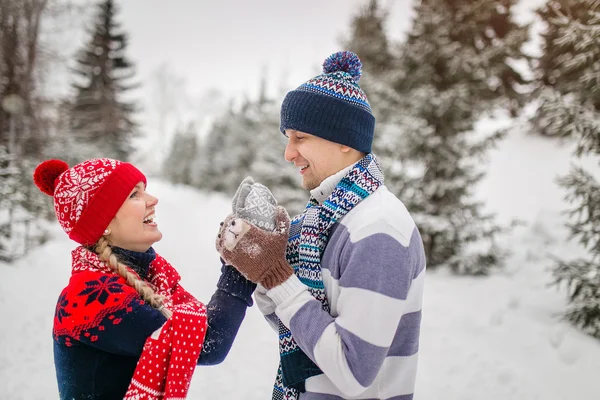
397, 377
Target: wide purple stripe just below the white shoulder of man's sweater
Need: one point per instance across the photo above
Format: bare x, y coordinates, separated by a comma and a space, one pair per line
378, 262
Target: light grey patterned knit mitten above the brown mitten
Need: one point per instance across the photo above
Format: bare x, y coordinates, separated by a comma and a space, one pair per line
255, 203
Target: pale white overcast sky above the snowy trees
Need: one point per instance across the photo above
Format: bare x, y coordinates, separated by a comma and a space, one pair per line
224, 45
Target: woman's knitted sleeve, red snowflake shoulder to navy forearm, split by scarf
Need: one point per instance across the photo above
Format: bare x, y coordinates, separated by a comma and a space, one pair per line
124, 330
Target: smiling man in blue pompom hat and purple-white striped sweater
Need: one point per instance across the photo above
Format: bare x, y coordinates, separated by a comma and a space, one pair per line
349, 311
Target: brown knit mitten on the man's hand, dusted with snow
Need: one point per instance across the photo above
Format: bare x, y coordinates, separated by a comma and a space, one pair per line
259, 255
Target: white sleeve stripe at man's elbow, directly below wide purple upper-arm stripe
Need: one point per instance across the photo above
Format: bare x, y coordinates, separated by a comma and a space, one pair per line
372, 316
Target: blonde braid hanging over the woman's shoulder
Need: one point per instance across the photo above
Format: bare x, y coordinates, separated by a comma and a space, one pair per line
105, 253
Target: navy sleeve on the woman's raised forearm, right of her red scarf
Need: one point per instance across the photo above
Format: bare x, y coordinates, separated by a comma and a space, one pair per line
225, 311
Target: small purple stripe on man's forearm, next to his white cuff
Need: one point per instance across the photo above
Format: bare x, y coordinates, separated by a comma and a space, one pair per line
307, 326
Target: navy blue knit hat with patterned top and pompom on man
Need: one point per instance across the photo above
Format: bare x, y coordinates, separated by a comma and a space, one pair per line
332, 105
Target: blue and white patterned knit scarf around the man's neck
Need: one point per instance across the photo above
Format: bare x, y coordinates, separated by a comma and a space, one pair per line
309, 234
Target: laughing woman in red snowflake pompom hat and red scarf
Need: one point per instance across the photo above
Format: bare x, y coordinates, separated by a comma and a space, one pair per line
124, 327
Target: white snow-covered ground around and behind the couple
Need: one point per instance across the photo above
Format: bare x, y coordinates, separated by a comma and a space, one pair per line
485, 338
